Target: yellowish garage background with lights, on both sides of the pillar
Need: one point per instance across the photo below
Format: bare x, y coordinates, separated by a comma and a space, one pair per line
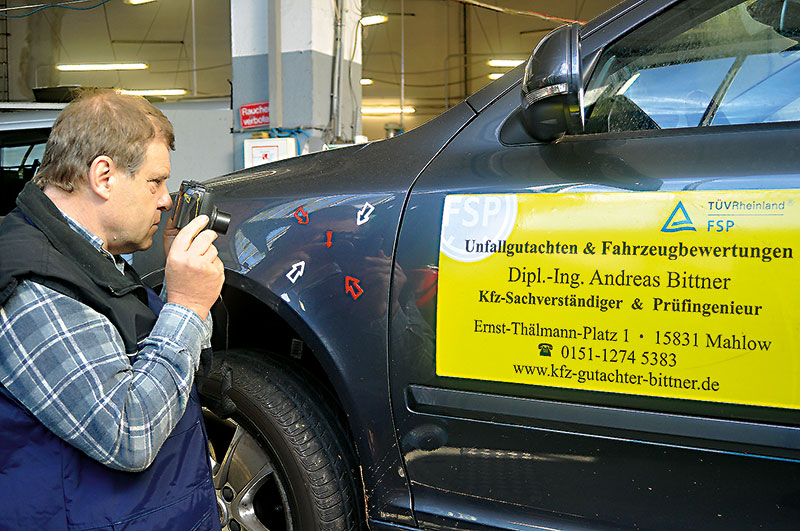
447, 46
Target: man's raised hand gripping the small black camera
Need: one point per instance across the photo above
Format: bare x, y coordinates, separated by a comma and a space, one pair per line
194, 274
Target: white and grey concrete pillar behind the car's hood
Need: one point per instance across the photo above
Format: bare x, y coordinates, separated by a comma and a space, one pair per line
309, 64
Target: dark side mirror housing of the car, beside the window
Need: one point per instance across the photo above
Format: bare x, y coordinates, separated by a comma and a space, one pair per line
552, 87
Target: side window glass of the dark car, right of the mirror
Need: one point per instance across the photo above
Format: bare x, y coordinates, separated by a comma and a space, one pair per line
702, 63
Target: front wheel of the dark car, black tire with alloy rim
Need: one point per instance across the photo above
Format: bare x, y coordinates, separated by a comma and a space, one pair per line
280, 457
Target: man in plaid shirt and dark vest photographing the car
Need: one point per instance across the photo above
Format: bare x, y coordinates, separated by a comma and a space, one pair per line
99, 423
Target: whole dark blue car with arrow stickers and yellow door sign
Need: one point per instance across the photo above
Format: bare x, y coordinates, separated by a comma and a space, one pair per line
569, 302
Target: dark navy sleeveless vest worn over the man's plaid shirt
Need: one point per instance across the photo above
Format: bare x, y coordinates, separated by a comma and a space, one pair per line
48, 484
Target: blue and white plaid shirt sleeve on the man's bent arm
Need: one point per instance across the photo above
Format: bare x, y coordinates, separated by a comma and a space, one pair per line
66, 363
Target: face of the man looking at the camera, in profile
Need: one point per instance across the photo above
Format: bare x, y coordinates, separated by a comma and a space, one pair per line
138, 202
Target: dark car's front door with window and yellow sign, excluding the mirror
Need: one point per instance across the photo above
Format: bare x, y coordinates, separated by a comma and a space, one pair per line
601, 331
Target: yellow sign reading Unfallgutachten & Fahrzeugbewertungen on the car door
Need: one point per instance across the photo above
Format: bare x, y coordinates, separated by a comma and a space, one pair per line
689, 295
